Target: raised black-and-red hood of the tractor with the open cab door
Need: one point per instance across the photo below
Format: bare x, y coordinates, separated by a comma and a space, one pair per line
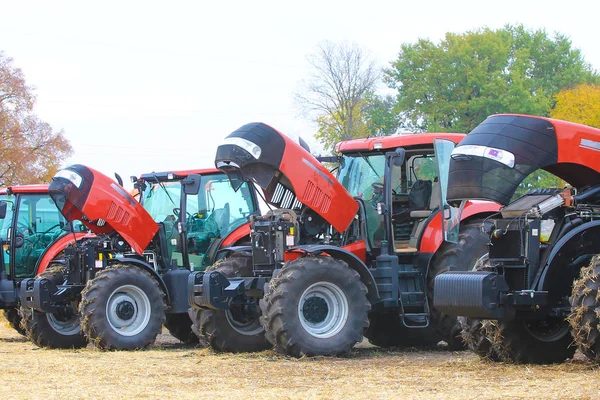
287, 173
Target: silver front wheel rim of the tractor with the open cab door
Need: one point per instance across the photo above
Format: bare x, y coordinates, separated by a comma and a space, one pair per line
323, 310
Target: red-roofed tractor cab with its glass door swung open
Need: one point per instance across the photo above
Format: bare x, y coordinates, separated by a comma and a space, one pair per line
398, 182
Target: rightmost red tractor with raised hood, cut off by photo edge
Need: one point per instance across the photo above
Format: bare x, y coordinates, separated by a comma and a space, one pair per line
537, 277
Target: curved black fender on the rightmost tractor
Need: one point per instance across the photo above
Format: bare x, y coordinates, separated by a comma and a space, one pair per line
589, 228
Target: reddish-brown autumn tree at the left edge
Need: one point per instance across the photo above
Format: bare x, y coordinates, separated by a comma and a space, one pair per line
30, 150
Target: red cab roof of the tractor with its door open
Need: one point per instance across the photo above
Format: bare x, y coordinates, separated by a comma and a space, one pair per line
395, 141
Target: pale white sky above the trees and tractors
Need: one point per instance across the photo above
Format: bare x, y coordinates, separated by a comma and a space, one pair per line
142, 86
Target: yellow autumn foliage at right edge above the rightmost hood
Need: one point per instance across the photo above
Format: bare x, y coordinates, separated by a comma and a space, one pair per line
580, 104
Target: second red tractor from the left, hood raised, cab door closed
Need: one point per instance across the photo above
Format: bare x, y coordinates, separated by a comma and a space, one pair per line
130, 279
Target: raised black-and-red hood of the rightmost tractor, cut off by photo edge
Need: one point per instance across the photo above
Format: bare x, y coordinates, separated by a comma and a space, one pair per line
491, 162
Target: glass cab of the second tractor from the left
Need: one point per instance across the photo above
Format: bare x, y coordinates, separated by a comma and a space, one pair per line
211, 215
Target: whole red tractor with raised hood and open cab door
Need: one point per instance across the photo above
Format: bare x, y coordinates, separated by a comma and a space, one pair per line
338, 258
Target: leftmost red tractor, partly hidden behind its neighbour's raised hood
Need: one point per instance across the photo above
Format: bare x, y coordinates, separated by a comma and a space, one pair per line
33, 235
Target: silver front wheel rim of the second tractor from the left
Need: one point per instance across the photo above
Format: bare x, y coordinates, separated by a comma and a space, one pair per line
128, 310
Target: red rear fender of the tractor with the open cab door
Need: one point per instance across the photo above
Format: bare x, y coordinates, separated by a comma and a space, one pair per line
432, 237
